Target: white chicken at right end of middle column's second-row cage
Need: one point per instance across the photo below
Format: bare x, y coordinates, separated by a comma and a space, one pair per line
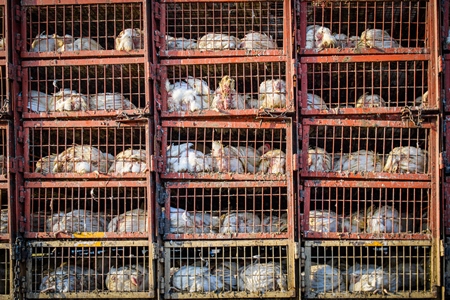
272, 94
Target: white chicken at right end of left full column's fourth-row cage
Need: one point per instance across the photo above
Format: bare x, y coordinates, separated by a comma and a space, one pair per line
131, 221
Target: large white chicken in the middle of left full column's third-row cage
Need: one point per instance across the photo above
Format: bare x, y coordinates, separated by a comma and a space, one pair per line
82, 159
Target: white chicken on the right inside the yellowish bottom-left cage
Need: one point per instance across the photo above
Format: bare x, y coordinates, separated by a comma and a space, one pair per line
128, 278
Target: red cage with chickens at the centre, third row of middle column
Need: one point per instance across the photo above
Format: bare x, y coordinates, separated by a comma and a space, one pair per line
238, 150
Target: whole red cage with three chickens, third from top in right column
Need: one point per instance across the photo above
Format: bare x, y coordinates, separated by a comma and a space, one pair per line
369, 148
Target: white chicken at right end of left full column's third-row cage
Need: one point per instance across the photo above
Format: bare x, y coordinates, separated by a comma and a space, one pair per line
129, 161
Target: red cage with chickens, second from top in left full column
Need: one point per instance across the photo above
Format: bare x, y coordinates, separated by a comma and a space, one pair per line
115, 87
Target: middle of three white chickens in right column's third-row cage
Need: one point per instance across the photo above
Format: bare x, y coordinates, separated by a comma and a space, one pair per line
359, 161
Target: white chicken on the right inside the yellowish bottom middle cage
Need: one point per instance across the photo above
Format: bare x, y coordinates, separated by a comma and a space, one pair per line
263, 277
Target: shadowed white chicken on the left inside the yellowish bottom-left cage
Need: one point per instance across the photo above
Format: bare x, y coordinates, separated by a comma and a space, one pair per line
68, 279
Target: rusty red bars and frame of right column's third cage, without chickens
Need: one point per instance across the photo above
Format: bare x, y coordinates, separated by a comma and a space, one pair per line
369, 133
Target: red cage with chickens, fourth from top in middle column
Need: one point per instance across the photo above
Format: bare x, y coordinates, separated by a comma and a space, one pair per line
231, 210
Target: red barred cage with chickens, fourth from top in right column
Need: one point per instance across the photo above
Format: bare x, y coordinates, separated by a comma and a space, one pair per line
367, 210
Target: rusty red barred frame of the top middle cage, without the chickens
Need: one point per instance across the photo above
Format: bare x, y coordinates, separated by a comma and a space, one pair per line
232, 23
